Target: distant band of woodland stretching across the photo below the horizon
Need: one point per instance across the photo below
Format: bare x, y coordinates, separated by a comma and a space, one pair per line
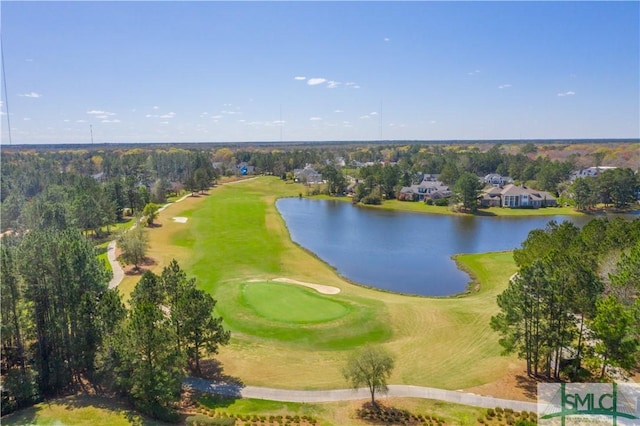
93, 187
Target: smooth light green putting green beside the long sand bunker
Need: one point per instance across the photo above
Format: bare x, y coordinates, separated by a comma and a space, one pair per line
291, 304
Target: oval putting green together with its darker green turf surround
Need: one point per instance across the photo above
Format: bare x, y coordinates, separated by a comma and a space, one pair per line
348, 323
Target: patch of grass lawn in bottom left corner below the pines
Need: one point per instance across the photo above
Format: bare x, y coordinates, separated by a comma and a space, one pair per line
78, 410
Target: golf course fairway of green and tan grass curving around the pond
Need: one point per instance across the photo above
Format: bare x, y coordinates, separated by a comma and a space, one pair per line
291, 336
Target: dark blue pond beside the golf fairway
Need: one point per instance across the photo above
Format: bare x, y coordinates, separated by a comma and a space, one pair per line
399, 251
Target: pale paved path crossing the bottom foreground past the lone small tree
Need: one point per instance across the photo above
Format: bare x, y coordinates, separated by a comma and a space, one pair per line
351, 394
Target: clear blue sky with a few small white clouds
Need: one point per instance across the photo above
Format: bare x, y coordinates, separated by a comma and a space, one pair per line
266, 71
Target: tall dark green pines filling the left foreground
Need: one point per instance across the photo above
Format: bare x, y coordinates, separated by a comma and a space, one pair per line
64, 330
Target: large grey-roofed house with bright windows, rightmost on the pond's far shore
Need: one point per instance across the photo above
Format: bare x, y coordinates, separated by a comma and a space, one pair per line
516, 197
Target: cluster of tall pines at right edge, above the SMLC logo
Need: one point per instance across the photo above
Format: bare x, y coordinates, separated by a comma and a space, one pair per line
573, 309
